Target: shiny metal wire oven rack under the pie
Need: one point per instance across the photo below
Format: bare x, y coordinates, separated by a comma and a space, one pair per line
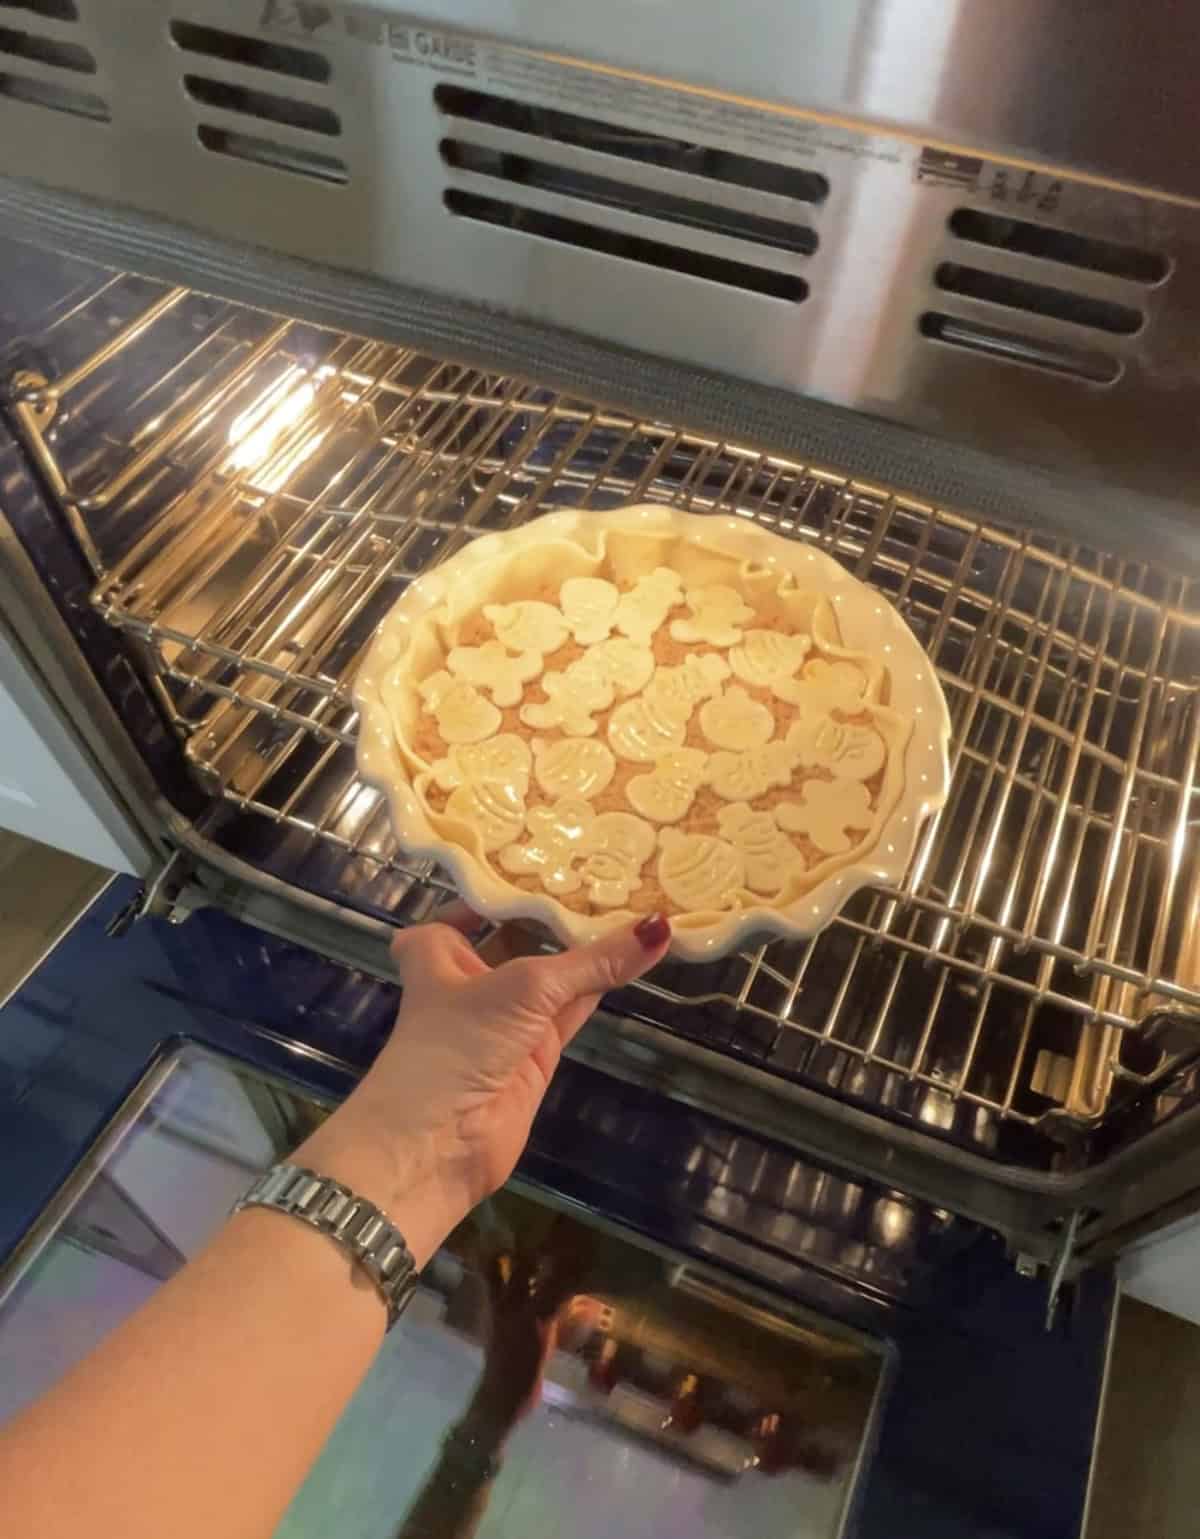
255, 493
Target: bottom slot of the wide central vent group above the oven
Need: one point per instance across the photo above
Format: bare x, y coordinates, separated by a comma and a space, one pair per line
632, 249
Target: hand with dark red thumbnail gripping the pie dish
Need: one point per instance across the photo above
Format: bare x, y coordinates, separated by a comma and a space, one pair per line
444, 1115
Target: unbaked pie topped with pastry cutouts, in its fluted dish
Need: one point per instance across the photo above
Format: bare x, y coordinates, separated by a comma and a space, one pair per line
641, 712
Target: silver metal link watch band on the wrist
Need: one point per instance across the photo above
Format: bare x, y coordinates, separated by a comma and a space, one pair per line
358, 1226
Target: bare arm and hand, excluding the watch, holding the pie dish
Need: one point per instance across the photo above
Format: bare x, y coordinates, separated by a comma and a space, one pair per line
202, 1415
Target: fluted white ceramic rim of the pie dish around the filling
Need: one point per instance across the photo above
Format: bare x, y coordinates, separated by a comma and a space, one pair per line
865, 621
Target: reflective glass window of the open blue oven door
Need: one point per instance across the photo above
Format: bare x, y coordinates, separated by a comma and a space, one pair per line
632, 1395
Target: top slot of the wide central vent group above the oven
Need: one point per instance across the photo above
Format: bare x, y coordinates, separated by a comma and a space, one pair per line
630, 144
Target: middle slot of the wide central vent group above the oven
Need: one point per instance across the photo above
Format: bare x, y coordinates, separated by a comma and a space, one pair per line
712, 218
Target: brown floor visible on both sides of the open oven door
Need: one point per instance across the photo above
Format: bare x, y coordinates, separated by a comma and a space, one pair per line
1147, 1480
